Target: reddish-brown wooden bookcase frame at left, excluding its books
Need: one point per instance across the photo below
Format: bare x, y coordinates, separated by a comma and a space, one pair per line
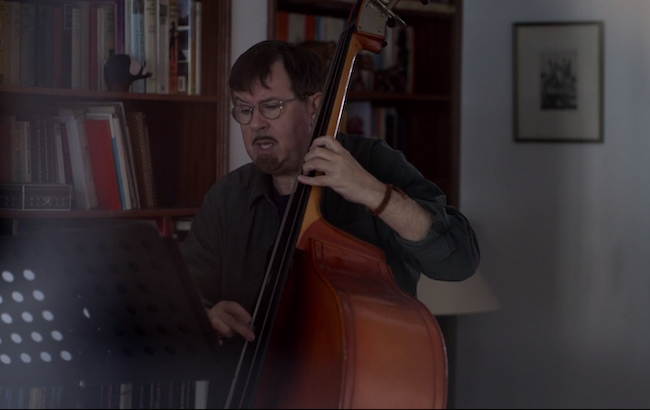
188, 133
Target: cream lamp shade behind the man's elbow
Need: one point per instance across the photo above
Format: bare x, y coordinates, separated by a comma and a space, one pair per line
472, 295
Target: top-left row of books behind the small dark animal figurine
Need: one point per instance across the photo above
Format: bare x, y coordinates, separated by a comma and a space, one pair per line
65, 43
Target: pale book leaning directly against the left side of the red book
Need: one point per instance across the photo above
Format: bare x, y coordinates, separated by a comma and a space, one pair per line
82, 179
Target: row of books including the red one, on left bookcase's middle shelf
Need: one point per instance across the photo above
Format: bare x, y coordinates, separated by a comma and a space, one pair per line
98, 148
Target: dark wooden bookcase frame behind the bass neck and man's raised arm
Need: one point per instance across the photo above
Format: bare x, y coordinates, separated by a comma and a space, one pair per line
430, 112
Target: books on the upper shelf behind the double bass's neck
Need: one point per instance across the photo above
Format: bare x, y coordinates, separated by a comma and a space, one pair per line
389, 71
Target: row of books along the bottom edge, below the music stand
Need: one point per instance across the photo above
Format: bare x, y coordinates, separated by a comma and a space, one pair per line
154, 395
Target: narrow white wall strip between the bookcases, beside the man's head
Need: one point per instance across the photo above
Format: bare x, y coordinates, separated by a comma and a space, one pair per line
249, 21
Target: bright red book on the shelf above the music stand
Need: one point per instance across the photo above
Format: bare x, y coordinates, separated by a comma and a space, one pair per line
100, 147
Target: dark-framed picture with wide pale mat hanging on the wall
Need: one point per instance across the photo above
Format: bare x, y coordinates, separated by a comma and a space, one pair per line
558, 70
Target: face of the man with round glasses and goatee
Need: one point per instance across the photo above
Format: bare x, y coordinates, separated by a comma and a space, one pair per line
277, 146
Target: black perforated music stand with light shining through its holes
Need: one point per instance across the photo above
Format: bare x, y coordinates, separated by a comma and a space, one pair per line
107, 305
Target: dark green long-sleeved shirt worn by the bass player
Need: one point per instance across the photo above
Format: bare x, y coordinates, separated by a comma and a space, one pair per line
233, 234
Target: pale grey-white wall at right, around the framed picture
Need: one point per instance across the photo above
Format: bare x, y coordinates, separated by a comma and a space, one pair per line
564, 229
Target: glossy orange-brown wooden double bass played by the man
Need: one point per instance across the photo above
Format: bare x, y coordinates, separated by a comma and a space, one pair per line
333, 327
